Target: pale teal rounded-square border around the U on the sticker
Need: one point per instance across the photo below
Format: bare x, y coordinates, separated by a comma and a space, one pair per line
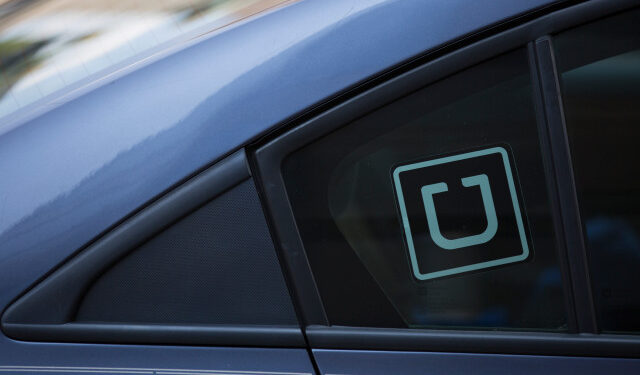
471, 267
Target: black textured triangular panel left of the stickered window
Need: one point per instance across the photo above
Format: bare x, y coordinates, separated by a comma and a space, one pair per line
217, 265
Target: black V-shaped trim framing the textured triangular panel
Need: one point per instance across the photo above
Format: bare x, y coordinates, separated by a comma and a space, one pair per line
46, 312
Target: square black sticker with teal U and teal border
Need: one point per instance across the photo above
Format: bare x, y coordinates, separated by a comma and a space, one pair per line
460, 213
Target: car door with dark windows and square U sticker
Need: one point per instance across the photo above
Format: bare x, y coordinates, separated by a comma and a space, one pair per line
440, 222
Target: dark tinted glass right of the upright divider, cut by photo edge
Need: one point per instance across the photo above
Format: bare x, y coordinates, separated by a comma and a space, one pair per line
599, 67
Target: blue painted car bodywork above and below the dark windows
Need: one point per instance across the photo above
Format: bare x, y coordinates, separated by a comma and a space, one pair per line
83, 162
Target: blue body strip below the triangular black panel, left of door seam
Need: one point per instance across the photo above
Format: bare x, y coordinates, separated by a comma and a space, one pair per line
37, 358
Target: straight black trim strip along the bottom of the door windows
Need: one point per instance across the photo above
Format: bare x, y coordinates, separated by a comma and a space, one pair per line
477, 341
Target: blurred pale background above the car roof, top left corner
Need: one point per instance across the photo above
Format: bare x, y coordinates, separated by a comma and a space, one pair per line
47, 45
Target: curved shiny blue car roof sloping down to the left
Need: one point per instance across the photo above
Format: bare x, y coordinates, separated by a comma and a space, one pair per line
73, 167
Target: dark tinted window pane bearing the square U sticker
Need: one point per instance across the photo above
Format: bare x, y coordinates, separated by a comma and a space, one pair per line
433, 210
